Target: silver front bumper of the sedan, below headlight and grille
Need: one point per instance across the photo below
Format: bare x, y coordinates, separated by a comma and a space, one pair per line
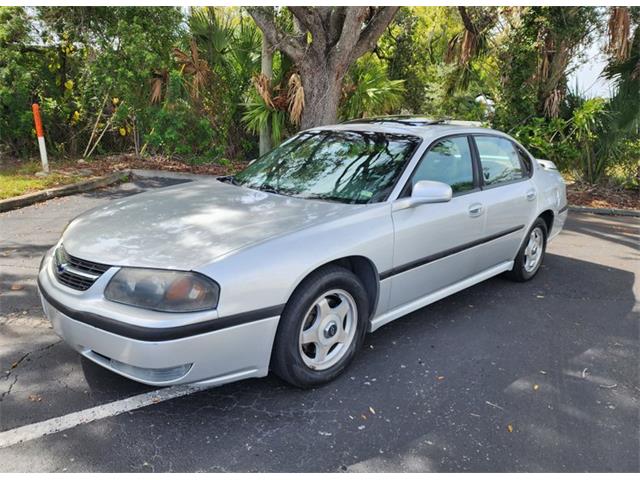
215, 357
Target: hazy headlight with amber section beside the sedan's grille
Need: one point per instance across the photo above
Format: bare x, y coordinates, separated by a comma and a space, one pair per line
163, 290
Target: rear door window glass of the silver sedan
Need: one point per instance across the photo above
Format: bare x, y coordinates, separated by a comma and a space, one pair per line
499, 159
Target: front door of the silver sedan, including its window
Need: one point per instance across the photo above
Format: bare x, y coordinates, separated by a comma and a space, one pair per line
433, 245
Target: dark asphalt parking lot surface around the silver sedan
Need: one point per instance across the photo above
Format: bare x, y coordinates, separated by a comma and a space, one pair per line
542, 376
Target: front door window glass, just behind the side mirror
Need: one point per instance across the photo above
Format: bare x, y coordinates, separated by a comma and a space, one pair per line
448, 161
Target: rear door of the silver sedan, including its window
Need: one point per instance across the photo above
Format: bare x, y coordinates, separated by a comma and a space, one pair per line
508, 194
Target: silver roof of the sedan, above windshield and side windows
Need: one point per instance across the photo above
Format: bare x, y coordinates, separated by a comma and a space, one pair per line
423, 127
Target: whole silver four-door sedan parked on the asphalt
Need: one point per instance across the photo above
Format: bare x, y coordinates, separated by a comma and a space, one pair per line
287, 265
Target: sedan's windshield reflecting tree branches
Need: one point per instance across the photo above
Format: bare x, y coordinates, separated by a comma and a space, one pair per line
343, 166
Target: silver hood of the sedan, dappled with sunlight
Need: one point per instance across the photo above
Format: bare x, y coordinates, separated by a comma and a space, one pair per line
189, 225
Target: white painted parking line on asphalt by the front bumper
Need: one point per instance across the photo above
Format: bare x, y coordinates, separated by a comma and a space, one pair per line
59, 424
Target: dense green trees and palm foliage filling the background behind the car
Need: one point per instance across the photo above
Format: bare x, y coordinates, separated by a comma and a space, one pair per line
126, 75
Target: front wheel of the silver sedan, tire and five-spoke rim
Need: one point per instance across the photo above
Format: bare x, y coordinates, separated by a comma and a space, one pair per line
321, 328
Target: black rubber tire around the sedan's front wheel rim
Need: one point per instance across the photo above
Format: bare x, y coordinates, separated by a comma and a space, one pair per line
286, 358
